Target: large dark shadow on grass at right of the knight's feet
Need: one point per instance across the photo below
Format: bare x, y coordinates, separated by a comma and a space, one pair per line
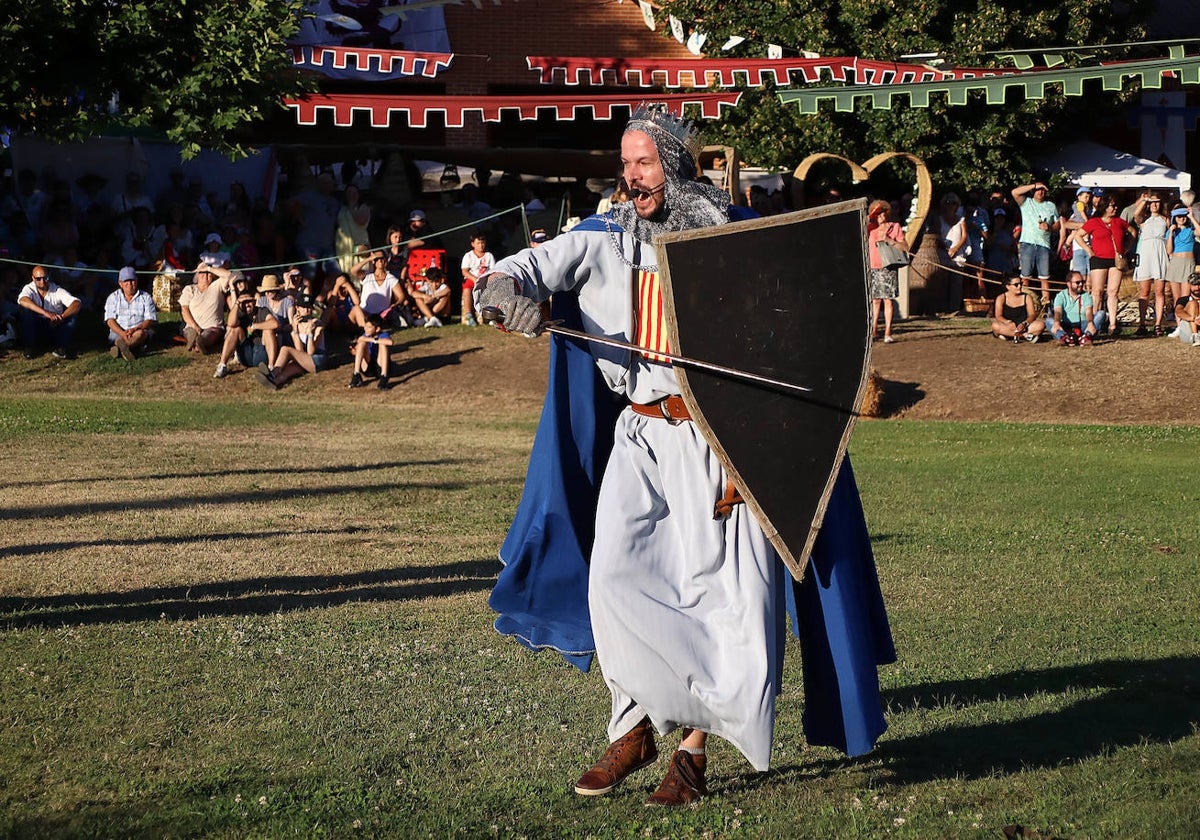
1127, 704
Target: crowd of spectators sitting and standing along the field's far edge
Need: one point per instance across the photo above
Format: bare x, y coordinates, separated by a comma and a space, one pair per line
265, 287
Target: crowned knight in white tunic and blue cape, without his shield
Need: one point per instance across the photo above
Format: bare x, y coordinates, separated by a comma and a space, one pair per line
687, 613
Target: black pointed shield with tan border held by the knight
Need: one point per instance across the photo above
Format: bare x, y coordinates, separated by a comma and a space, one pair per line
784, 297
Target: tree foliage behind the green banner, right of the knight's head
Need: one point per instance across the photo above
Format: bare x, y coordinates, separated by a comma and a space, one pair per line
976, 145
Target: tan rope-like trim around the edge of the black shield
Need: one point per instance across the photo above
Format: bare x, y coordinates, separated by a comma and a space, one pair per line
795, 557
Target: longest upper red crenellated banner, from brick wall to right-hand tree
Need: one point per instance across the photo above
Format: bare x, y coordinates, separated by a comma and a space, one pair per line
753, 73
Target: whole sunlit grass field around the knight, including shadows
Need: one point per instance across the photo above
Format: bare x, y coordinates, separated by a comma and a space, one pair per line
268, 619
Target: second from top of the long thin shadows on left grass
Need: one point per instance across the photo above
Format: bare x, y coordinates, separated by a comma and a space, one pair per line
255, 496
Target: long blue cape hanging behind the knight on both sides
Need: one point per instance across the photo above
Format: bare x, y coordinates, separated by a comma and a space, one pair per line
542, 593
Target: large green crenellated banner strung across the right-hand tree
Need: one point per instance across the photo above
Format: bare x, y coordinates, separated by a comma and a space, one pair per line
1033, 86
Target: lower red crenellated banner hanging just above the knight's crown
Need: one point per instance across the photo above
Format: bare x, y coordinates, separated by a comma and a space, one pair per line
491, 109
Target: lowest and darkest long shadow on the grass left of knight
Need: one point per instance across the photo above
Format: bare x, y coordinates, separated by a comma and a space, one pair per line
249, 597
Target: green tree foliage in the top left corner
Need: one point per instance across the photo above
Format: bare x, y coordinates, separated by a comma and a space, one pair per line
201, 71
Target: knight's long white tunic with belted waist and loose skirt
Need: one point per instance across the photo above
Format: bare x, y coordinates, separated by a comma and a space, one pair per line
685, 609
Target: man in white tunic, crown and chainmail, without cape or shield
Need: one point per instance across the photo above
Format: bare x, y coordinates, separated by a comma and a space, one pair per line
685, 608
